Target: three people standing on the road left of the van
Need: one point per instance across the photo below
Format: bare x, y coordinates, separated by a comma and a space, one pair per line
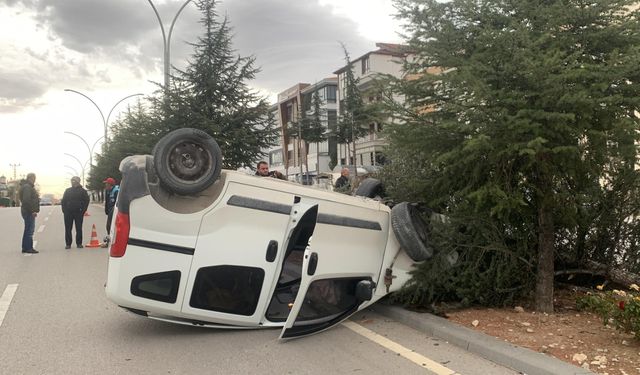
74, 204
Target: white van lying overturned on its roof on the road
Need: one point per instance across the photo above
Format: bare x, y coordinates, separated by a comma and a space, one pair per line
197, 245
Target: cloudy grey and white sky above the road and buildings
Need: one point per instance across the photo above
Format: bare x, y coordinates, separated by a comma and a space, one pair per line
108, 50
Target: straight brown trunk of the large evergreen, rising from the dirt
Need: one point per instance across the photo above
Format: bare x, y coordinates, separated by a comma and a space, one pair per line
545, 274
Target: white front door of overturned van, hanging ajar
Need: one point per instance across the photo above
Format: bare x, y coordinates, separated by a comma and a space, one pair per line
339, 266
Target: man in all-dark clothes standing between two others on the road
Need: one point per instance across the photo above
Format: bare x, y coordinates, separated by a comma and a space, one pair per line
75, 202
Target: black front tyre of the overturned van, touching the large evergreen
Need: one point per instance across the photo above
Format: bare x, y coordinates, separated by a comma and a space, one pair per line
411, 231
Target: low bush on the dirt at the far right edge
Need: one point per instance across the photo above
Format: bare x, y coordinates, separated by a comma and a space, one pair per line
617, 307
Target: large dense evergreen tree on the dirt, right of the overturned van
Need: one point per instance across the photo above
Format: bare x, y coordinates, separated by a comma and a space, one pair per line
515, 114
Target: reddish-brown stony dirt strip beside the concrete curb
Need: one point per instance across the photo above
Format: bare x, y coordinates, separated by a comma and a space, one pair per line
573, 336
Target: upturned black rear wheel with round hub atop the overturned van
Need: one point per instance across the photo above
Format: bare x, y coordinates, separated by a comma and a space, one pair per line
187, 161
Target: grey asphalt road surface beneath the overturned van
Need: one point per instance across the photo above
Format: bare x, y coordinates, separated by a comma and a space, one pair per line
56, 319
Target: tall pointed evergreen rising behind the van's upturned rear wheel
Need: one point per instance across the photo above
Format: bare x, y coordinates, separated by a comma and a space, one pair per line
212, 94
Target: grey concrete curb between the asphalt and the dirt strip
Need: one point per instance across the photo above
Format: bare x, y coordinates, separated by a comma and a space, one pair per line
503, 353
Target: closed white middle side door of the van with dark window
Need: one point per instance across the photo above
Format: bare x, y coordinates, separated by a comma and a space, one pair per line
238, 256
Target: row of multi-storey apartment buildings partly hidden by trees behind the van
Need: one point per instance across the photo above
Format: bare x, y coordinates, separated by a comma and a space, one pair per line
292, 156
